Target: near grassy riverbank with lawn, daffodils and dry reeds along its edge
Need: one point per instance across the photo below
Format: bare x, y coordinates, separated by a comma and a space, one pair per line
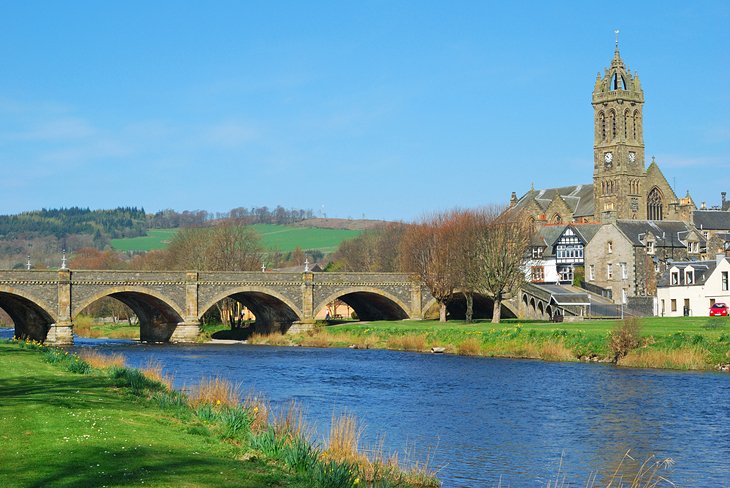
65, 422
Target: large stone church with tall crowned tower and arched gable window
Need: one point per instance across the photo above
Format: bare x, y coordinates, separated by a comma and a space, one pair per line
623, 187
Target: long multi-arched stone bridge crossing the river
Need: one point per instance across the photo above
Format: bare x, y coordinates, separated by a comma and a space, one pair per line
170, 304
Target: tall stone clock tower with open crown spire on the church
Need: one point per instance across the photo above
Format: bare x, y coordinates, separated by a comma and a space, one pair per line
618, 150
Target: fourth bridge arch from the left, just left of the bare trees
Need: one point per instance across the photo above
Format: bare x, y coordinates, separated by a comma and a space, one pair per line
369, 303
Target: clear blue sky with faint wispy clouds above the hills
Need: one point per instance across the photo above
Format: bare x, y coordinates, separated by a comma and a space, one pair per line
380, 109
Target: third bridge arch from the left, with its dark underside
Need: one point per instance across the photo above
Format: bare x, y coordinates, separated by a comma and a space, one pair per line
274, 312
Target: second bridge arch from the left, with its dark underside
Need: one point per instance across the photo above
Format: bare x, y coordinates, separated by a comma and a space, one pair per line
158, 315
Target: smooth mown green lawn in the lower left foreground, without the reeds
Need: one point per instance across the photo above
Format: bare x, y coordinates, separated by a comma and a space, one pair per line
58, 428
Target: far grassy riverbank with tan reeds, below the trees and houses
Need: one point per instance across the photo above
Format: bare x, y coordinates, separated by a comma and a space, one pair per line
699, 343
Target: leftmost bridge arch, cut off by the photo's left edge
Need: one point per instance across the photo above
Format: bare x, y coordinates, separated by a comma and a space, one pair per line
31, 318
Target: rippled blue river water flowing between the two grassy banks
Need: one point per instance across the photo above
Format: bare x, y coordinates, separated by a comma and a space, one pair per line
479, 420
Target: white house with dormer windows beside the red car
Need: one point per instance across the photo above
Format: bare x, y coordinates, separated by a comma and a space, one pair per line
692, 287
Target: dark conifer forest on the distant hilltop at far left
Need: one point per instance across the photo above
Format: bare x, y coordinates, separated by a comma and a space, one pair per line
115, 223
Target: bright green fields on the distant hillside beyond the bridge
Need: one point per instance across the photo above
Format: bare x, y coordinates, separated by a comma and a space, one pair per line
283, 238
